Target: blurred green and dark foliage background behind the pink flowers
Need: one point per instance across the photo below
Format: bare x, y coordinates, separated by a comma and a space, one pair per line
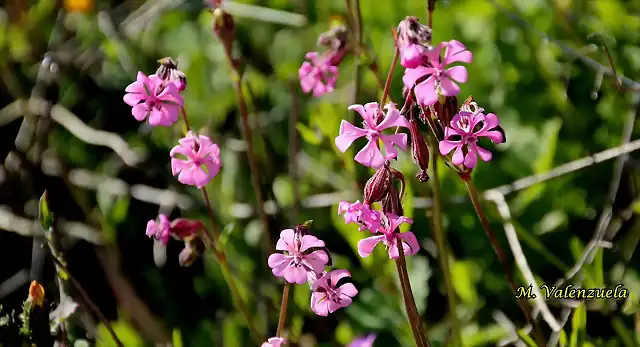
554, 109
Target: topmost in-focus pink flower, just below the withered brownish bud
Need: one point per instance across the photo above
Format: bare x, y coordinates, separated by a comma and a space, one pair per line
440, 80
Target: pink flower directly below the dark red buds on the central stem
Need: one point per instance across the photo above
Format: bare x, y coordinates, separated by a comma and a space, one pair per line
389, 238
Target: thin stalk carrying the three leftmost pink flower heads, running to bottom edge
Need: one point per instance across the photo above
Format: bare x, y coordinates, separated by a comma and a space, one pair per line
211, 243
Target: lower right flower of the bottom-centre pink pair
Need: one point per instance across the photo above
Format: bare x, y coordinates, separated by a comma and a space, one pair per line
326, 297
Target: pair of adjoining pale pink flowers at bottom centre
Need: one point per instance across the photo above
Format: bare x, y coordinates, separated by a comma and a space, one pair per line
304, 261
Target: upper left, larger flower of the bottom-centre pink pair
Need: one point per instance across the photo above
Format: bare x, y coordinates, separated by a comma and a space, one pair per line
295, 265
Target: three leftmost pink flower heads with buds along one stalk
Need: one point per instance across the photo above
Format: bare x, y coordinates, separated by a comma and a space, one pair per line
195, 160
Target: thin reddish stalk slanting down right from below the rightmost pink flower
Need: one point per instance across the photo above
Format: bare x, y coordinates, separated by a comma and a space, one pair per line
524, 305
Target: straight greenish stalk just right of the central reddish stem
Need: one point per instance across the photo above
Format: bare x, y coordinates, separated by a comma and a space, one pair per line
440, 238
